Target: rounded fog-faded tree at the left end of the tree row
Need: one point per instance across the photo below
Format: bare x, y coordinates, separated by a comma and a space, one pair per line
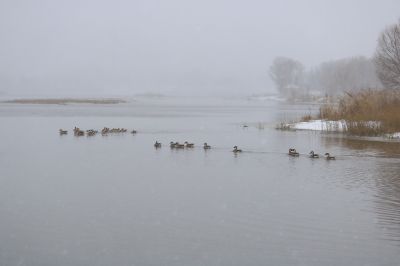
287, 74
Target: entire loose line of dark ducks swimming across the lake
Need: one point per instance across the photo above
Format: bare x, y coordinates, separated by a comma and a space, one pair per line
176, 145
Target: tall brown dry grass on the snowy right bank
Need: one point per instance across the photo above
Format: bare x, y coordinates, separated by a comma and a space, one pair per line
367, 113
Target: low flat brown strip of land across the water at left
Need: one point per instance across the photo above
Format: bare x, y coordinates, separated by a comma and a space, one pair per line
63, 101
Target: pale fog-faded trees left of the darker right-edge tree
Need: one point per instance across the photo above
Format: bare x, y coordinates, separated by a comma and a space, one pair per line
328, 78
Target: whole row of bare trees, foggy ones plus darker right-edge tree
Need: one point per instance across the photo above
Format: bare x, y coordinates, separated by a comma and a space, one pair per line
345, 75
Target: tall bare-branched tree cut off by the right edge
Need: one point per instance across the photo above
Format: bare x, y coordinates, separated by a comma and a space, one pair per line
387, 57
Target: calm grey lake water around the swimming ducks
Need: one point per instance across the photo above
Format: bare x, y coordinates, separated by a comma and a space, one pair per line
116, 200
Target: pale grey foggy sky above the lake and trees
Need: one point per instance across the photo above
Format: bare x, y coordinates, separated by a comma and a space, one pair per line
207, 47
